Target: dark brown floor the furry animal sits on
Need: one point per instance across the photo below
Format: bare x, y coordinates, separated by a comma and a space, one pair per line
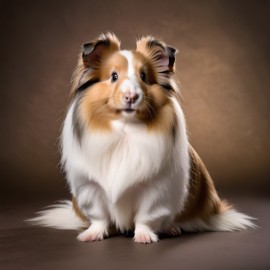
25, 247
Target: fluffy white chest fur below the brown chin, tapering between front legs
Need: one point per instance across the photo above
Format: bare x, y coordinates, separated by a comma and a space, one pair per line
117, 159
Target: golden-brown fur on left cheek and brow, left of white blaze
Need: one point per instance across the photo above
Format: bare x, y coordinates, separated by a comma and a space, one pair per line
101, 102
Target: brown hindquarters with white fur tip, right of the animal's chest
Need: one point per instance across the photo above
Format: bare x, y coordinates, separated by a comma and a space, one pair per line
204, 210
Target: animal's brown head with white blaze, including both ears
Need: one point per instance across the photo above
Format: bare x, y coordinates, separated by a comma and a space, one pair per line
111, 83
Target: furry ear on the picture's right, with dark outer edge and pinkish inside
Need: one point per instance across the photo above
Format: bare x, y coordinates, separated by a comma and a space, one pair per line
161, 56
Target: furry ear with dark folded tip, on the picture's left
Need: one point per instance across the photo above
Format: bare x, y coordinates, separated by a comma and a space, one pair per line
93, 52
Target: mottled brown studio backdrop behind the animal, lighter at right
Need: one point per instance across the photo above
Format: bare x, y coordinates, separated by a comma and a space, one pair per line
222, 64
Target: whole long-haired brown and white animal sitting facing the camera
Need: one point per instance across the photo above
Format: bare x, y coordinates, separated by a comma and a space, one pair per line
126, 154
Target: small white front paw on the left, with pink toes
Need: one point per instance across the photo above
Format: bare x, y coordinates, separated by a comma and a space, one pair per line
96, 232
